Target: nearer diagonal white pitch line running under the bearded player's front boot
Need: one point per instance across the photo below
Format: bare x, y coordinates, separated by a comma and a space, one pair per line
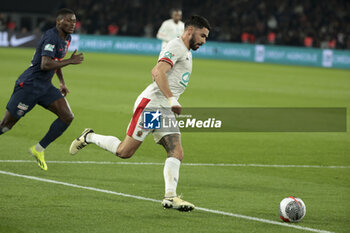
158, 201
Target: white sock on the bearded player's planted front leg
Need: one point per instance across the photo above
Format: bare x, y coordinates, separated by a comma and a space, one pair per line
171, 176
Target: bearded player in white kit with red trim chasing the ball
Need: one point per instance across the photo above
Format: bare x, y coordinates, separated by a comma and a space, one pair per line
170, 78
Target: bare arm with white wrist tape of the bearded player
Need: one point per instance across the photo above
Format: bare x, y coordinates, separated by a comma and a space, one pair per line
159, 76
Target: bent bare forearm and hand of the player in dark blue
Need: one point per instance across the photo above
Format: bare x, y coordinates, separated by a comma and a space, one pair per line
47, 63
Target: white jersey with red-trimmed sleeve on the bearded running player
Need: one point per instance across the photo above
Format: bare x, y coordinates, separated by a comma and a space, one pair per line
180, 59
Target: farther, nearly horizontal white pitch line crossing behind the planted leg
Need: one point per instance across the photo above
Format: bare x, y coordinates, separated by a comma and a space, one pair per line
183, 164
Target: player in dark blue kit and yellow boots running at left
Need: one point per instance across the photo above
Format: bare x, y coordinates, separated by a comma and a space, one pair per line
34, 85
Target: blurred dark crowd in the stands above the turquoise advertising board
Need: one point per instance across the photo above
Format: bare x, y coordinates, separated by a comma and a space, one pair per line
309, 23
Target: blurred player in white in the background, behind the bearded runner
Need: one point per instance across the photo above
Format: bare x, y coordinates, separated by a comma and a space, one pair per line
171, 28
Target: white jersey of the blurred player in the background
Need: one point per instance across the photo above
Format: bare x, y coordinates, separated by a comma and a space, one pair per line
169, 31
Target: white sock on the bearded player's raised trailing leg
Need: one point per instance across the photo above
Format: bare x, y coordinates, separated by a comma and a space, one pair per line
109, 143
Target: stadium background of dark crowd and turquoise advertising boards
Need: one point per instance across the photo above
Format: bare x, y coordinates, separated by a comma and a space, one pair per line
260, 30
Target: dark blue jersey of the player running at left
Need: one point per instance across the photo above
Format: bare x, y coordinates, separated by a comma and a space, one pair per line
51, 45
